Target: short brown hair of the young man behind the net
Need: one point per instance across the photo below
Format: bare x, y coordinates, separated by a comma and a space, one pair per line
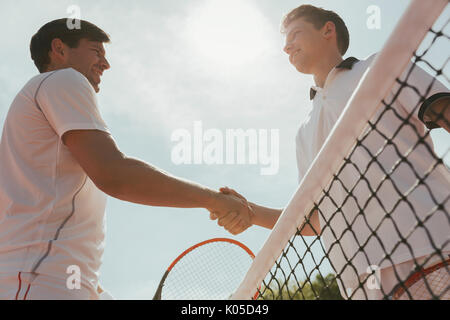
318, 17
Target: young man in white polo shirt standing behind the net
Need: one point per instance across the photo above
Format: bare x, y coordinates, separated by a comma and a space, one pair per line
316, 40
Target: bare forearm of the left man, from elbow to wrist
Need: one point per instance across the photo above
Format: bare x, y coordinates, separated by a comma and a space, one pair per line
138, 182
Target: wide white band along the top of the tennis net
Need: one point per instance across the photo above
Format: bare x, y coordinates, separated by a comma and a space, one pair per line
373, 87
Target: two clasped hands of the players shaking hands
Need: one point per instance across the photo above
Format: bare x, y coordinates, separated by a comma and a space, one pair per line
232, 211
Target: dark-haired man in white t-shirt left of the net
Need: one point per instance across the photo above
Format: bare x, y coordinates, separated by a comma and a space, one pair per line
58, 161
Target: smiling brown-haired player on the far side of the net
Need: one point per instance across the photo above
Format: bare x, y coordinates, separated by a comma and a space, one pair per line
316, 40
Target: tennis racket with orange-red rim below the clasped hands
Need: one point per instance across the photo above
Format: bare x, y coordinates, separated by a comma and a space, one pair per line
209, 270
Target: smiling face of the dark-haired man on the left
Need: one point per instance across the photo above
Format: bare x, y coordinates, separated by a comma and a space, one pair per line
89, 59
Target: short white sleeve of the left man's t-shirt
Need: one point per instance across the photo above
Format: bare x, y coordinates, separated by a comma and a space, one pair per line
68, 102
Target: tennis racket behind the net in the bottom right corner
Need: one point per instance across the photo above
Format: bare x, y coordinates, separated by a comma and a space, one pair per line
419, 285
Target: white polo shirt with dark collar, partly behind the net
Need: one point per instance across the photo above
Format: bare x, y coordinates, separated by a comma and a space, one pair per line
327, 104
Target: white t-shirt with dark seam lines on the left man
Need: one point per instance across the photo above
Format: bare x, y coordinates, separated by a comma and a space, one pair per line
51, 213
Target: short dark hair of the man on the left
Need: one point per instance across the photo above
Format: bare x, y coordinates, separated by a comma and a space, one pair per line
40, 44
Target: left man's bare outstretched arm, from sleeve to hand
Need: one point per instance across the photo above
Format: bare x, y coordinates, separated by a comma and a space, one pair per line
136, 181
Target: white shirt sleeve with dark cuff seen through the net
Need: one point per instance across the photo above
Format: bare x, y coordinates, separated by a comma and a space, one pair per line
420, 88
